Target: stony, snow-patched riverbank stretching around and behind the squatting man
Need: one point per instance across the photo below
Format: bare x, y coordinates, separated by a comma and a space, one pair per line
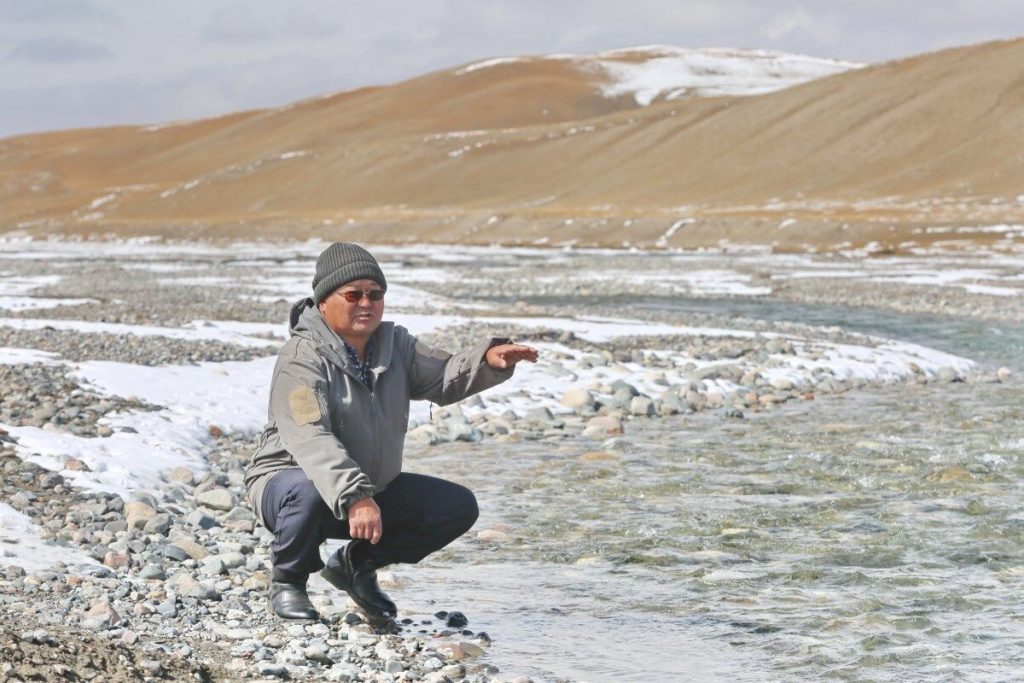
170, 584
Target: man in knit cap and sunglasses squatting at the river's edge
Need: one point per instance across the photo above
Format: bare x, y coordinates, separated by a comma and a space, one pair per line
329, 463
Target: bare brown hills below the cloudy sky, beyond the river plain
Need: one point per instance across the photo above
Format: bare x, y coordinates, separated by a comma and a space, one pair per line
531, 151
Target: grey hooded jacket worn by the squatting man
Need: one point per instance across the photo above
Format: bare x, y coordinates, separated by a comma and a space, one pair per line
349, 438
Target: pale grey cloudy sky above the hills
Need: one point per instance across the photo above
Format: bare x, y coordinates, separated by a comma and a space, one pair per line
84, 63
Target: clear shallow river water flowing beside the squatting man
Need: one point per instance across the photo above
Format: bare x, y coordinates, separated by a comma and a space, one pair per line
874, 536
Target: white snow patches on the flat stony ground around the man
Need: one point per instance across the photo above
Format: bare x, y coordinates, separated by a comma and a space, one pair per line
233, 396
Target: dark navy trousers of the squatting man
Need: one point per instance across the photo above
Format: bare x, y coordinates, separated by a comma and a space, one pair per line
420, 515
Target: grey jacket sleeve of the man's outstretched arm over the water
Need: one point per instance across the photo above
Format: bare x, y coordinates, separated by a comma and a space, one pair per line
443, 378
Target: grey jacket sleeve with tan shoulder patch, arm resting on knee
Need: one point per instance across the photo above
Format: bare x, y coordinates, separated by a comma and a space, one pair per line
298, 403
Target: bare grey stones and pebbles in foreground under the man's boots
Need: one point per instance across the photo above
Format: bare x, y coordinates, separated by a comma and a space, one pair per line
178, 591
